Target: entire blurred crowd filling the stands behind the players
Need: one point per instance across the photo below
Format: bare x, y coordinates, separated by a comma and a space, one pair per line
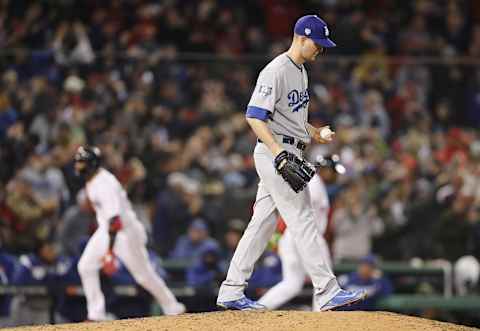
133, 78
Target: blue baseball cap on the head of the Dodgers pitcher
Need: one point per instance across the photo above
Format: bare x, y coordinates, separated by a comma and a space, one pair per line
313, 27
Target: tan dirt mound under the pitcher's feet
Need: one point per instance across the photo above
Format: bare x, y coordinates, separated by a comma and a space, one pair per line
264, 321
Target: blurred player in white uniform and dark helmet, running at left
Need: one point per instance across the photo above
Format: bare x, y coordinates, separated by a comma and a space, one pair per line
119, 234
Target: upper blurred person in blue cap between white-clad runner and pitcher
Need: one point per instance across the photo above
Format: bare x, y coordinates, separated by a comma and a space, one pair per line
192, 244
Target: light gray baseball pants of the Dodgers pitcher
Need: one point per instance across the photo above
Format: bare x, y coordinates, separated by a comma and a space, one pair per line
275, 196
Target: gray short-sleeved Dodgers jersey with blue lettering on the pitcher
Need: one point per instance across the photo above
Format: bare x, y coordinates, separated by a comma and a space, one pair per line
282, 91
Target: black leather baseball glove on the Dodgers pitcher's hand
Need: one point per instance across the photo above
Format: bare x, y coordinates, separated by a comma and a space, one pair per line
296, 172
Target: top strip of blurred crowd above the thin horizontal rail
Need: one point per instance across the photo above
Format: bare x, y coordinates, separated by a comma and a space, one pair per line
79, 31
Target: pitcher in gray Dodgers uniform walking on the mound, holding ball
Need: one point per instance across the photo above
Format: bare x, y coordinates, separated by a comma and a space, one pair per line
278, 114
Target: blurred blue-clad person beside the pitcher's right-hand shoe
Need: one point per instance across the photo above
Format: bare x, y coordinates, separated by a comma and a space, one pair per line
369, 278
